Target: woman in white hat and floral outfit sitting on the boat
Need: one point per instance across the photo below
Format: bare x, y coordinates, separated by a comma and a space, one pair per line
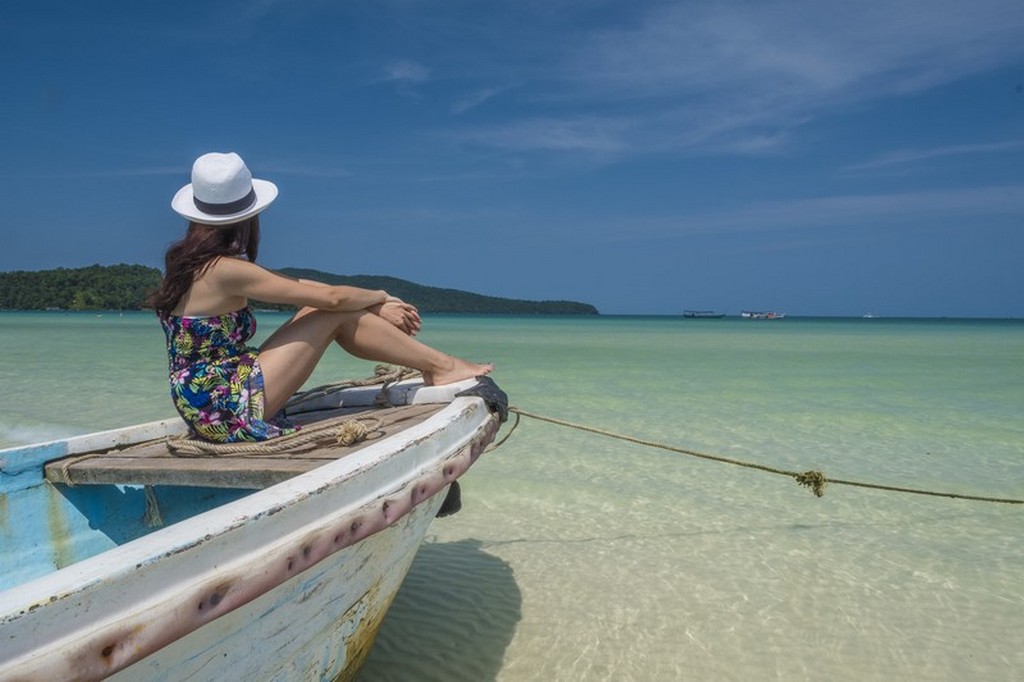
223, 388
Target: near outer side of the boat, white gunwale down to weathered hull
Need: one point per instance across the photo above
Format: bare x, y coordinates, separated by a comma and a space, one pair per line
289, 583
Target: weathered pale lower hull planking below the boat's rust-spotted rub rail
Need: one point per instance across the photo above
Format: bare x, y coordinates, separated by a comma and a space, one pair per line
319, 625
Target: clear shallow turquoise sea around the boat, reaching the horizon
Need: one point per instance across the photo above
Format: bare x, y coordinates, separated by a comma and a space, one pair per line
581, 558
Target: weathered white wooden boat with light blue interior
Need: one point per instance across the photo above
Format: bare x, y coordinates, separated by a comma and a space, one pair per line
265, 567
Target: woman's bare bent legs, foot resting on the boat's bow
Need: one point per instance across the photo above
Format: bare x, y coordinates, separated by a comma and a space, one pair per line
290, 355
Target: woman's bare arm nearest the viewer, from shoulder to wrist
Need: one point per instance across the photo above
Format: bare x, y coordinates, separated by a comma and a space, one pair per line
234, 277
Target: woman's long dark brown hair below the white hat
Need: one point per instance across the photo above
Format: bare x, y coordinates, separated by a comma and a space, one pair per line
188, 260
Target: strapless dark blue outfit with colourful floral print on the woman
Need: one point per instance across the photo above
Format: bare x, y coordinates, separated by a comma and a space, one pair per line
217, 381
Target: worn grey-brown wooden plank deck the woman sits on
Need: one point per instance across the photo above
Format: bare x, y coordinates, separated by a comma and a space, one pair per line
152, 463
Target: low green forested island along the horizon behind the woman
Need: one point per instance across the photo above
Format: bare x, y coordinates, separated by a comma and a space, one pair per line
126, 287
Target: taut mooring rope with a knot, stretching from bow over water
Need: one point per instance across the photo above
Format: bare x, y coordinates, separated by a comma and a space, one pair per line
814, 480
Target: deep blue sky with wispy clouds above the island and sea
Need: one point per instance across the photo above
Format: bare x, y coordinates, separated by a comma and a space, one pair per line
808, 157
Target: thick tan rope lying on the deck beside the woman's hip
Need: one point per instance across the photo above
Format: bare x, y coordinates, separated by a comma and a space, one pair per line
340, 432
